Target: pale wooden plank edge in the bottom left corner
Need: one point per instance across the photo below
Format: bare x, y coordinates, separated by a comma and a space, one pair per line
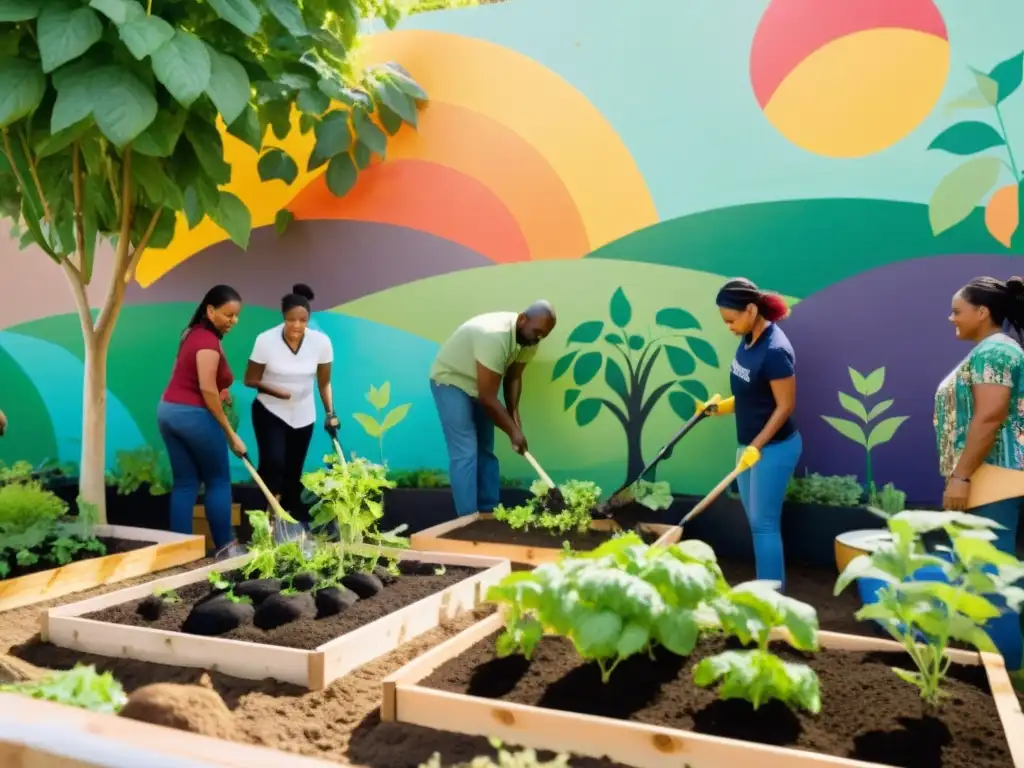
89, 740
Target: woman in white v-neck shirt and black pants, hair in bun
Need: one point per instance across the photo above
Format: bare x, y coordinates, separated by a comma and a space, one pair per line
288, 362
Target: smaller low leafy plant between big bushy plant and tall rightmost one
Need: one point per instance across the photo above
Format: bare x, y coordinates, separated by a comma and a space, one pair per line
750, 613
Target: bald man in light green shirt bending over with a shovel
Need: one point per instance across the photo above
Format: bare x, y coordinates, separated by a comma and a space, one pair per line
484, 353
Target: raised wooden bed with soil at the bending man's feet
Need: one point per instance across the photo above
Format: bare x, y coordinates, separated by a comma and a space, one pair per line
523, 547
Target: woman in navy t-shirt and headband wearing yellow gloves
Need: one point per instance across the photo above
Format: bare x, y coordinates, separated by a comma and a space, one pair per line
764, 395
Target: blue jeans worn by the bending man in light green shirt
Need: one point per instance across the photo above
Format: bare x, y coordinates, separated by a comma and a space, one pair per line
470, 434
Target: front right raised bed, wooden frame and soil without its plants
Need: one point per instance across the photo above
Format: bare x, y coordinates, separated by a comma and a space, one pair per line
423, 694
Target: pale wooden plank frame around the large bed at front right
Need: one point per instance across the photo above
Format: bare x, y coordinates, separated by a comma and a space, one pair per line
635, 744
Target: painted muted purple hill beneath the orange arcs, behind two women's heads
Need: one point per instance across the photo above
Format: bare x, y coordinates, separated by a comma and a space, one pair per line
340, 261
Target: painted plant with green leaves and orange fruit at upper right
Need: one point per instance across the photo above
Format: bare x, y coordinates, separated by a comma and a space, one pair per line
992, 158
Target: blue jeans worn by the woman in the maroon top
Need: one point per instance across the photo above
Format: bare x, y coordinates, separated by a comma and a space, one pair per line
198, 450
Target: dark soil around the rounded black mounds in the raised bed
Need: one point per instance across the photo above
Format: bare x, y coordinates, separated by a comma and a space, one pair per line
307, 633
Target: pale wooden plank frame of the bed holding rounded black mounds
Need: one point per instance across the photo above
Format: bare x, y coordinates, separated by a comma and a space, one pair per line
315, 669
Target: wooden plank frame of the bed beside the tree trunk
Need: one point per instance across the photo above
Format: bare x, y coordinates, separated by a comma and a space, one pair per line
167, 551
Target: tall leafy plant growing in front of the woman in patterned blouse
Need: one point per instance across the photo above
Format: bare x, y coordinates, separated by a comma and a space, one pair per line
937, 612
